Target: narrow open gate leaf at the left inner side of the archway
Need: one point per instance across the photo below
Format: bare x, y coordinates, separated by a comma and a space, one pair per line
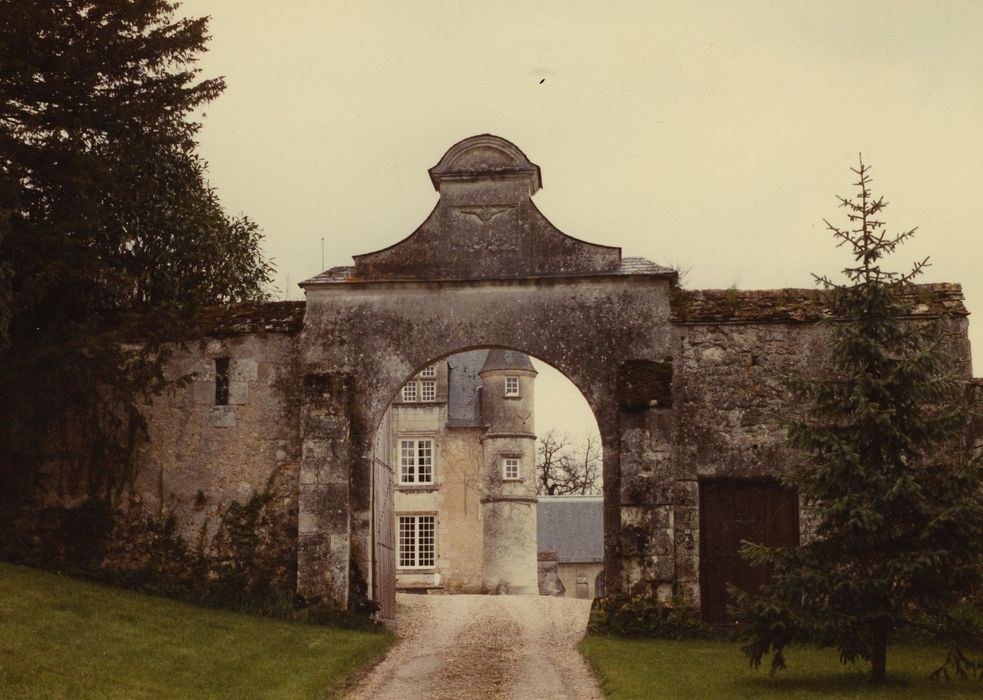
383, 537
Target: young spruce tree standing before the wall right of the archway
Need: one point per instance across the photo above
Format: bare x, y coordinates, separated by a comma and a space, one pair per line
887, 473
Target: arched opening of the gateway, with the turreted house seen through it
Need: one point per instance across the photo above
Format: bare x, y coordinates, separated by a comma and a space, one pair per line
487, 476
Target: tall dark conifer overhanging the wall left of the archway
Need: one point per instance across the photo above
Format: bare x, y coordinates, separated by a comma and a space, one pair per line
104, 209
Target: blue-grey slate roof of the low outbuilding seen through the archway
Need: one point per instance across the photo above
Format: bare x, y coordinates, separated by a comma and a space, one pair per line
571, 526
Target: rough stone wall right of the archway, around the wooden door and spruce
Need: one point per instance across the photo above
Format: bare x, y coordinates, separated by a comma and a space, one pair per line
730, 350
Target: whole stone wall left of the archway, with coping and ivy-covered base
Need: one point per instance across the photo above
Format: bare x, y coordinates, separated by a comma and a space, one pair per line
208, 508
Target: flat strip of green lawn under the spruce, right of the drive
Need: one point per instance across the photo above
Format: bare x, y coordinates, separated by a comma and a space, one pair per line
629, 668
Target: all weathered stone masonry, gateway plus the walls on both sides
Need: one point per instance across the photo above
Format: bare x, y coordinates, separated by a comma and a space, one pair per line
683, 384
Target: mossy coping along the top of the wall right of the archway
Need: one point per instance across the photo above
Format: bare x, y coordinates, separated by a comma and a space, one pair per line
698, 306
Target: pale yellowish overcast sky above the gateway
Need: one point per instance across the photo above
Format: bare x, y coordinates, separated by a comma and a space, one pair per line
712, 136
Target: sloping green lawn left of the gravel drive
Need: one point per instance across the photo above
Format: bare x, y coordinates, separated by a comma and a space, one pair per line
64, 638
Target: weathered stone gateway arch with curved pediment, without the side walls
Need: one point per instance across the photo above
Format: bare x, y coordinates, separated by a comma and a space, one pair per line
487, 269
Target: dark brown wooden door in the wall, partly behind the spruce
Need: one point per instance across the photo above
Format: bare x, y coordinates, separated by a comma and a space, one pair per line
731, 511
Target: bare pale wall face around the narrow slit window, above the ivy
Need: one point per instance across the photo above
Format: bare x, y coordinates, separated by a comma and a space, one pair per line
201, 456
